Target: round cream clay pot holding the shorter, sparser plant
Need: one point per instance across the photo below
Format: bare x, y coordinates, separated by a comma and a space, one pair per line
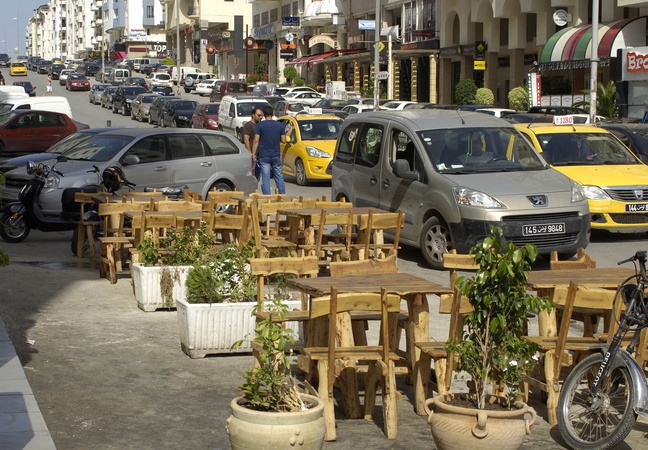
259, 430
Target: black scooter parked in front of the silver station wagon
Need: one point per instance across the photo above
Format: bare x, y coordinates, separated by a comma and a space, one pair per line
17, 219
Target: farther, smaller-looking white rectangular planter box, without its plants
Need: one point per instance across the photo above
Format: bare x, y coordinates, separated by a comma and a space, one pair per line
146, 281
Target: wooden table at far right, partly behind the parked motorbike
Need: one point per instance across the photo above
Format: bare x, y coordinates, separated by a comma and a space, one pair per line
544, 282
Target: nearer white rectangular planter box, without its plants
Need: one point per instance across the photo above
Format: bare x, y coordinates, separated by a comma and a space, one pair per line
212, 328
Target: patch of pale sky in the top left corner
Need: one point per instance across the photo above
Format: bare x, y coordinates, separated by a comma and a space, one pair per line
12, 35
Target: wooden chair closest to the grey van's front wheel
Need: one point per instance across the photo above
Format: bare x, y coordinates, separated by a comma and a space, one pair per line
372, 227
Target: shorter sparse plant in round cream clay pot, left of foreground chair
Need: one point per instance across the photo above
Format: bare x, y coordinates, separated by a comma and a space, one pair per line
271, 412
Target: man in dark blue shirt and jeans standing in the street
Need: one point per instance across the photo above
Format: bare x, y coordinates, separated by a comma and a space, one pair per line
268, 134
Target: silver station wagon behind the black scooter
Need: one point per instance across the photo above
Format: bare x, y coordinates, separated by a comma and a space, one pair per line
151, 158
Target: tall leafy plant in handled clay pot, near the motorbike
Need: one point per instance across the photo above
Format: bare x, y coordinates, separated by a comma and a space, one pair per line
491, 351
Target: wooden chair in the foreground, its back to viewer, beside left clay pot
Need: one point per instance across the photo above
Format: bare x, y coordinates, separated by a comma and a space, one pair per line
331, 360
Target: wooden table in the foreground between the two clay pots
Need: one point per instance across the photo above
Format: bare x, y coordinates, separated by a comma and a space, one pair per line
411, 288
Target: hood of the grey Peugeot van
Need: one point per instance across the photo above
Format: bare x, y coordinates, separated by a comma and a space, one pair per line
520, 183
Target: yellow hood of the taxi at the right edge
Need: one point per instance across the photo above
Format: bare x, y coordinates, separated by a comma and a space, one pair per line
607, 175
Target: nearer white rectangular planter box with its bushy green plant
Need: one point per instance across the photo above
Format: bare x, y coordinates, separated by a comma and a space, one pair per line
217, 310
